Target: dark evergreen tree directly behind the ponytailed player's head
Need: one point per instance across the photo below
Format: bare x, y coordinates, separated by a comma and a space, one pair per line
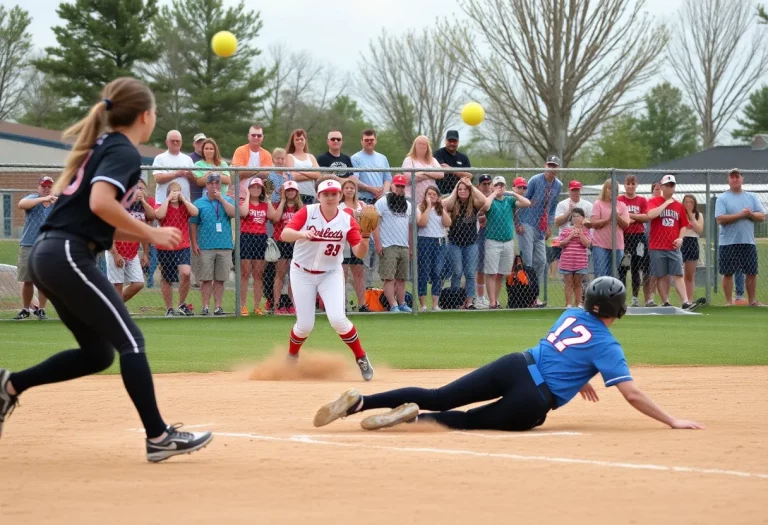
100, 41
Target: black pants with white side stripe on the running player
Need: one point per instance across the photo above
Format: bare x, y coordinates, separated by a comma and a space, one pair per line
64, 268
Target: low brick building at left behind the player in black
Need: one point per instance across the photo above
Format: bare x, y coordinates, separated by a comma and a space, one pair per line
20, 144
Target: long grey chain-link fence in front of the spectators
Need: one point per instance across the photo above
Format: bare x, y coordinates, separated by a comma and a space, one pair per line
504, 238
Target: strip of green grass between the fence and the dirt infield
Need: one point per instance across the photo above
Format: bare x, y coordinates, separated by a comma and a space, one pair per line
446, 340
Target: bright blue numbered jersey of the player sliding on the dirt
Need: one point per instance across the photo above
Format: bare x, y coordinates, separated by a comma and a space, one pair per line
577, 347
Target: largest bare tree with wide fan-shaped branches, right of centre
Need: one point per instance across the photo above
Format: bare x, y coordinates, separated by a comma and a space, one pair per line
555, 70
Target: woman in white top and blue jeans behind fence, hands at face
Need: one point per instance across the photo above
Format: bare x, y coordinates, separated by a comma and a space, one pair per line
432, 219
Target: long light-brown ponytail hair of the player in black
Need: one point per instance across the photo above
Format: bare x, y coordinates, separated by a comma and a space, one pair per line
122, 101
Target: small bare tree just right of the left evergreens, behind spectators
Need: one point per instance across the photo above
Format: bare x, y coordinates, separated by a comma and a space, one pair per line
302, 90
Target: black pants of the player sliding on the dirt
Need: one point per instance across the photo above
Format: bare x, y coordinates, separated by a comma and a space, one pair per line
522, 404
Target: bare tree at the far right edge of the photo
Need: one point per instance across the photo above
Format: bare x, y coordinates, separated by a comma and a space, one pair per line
716, 60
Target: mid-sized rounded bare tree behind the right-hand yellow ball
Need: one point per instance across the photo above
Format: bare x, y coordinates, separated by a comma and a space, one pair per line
411, 84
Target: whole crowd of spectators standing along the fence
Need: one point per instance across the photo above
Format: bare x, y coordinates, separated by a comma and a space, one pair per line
466, 230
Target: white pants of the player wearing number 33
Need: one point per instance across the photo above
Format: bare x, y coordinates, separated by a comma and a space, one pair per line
330, 286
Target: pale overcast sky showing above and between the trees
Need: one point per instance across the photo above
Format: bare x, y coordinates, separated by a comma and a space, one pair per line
336, 31
